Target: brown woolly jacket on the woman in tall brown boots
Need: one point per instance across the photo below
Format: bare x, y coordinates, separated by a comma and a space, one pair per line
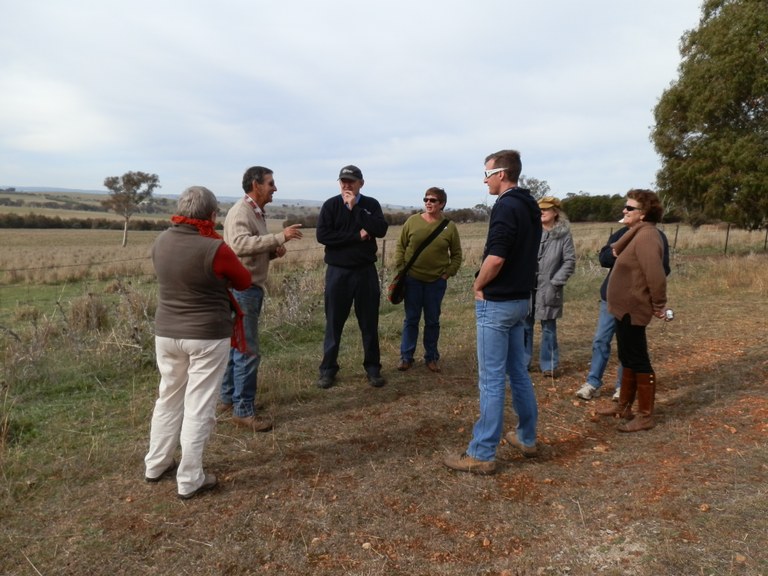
638, 284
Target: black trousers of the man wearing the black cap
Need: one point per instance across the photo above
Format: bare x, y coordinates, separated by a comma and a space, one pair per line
343, 287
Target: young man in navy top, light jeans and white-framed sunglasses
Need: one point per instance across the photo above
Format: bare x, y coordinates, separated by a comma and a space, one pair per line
502, 290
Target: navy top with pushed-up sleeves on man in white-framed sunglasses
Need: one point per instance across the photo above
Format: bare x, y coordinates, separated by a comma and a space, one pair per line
514, 233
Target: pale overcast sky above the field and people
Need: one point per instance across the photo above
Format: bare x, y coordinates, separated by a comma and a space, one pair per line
416, 93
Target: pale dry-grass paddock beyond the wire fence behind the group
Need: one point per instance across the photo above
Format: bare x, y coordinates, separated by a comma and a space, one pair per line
56, 256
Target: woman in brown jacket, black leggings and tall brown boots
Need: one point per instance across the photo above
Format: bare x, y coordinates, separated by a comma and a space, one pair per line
637, 291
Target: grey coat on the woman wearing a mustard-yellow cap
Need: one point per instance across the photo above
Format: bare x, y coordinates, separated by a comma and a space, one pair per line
557, 261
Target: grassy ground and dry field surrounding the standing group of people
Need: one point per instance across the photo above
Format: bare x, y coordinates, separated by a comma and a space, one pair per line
350, 481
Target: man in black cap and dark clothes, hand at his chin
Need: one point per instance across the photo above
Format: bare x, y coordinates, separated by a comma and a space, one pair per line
348, 226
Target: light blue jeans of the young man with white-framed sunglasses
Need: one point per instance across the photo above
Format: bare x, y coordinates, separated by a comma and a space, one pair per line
501, 354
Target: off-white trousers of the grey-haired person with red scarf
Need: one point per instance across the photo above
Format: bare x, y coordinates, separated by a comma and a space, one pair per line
185, 412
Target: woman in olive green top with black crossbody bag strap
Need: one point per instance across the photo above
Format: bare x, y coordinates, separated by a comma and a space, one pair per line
426, 280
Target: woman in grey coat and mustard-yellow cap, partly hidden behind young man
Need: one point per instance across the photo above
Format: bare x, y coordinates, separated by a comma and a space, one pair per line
557, 261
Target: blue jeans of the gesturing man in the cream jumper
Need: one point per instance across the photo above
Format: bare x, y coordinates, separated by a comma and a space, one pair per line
239, 385
